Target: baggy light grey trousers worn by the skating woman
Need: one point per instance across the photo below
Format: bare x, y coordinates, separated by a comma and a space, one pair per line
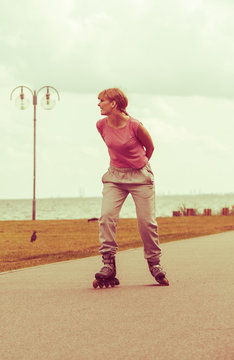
117, 184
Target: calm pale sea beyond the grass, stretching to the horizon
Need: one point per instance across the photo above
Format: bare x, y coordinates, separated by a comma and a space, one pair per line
90, 207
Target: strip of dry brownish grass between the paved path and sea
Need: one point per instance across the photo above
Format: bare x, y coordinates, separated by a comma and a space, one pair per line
59, 240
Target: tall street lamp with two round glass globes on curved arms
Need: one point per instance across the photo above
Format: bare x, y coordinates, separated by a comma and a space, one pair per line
22, 103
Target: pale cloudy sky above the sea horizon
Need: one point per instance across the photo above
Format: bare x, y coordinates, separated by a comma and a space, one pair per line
174, 59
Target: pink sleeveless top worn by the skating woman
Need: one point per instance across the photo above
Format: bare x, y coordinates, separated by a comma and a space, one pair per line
124, 148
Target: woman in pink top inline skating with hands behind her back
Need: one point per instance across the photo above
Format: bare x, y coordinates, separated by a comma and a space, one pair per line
130, 148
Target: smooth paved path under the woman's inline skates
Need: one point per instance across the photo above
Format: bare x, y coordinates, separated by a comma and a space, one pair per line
52, 312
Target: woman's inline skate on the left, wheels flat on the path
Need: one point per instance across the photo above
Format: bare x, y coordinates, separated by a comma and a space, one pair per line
106, 276
